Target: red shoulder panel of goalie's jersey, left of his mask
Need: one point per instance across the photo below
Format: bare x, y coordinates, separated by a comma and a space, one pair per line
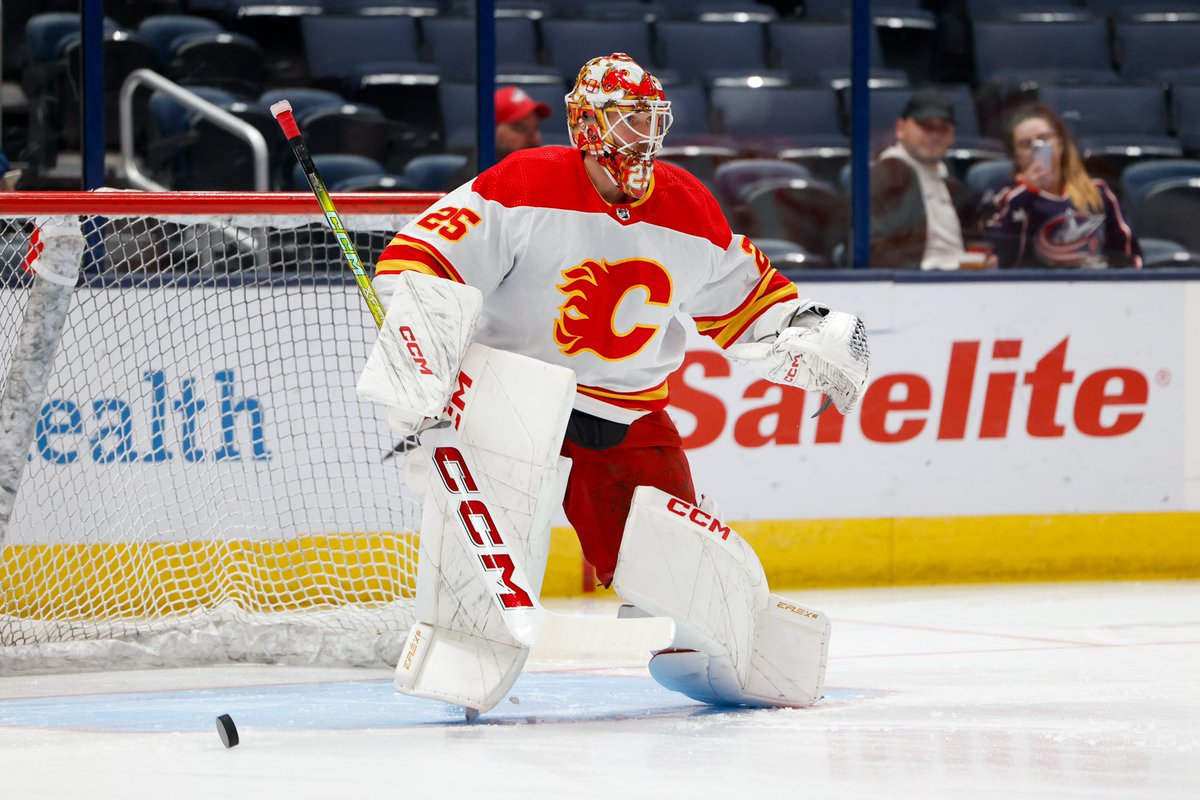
538, 177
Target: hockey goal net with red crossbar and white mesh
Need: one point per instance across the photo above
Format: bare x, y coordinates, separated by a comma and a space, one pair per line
201, 483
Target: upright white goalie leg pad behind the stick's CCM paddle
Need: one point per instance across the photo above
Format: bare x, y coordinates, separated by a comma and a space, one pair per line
491, 489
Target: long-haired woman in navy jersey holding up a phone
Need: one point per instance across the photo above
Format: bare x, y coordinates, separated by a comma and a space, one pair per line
1055, 214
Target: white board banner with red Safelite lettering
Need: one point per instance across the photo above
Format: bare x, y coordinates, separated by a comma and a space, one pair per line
989, 399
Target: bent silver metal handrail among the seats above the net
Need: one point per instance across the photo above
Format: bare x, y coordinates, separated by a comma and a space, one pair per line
218, 116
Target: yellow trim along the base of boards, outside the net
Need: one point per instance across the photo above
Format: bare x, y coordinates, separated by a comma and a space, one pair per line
950, 550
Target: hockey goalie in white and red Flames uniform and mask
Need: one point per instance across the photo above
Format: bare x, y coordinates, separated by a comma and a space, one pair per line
535, 316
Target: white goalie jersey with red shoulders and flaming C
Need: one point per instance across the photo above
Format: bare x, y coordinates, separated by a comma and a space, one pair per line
575, 281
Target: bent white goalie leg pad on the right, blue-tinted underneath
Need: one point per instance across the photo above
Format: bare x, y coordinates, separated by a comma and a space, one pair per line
736, 645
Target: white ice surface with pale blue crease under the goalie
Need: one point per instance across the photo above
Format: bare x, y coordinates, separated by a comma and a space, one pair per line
1088, 690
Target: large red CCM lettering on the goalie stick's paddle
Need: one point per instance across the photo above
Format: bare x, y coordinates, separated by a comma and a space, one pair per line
477, 522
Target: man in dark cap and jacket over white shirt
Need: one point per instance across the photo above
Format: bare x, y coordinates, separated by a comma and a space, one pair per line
917, 209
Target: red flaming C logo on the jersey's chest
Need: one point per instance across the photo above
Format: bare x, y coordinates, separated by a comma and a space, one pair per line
595, 292
